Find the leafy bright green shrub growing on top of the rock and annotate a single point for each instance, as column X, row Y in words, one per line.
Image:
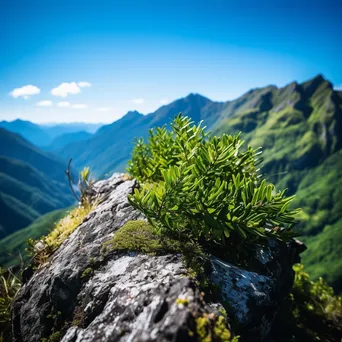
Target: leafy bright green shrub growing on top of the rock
column 206, row 187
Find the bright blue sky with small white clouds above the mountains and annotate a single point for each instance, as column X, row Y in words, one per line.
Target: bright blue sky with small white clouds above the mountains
column 92, row 61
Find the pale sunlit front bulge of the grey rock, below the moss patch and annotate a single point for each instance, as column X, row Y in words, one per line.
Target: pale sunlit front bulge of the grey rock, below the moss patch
column 138, row 300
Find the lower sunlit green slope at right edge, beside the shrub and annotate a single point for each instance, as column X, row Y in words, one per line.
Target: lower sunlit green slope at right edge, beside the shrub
column 318, row 194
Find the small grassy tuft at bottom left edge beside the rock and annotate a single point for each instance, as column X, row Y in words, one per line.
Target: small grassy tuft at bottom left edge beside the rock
column 9, row 287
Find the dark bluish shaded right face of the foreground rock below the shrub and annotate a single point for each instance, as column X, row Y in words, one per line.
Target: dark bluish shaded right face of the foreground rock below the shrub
column 254, row 298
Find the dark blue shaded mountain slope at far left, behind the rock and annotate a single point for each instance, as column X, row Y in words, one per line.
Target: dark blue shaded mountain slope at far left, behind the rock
column 32, row 183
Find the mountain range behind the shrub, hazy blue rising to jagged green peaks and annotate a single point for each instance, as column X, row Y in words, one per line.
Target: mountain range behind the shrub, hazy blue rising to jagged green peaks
column 299, row 127
